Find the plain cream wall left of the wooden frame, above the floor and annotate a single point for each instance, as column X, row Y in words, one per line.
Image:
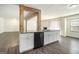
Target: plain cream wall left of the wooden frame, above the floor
column 9, row 25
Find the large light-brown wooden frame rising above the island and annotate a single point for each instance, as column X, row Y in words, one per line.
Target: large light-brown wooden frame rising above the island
column 37, row 13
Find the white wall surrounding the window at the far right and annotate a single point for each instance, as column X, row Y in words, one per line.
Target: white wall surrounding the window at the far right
column 66, row 28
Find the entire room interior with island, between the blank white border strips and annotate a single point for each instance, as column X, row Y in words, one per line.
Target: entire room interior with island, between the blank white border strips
column 39, row 29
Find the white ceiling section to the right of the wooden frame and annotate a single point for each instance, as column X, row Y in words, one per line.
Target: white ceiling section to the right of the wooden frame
column 54, row 10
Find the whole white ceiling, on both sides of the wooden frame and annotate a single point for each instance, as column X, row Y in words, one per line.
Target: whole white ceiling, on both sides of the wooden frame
column 48, row 10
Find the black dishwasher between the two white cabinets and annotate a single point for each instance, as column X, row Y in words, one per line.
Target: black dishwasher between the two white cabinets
column 38, row 39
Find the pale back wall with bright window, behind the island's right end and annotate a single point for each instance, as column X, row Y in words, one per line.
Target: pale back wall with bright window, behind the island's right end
column 52, row 24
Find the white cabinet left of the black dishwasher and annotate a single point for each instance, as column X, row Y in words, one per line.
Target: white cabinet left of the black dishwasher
column 26, row 42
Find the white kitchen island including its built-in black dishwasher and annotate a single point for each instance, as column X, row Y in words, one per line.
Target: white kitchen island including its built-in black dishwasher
column 33, row 40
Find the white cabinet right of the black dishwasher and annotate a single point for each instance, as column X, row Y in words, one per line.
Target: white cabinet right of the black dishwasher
column 50, row 37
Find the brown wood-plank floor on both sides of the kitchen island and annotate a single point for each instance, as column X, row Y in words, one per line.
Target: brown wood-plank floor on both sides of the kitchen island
column 66, row 45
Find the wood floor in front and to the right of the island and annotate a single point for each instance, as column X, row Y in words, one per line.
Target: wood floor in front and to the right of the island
column 66, row 45
